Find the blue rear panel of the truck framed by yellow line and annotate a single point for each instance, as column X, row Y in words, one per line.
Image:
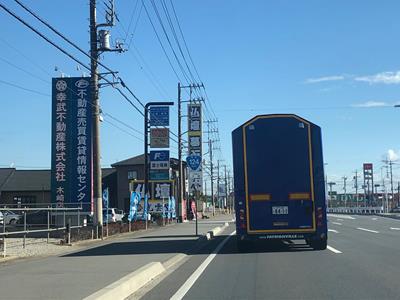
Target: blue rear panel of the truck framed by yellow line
column 278, row 175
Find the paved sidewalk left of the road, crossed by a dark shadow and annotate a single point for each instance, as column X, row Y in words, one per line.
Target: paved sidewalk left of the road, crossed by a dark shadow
column 80, row 273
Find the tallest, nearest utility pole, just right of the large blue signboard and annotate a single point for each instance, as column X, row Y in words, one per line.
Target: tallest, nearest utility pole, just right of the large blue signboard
column 97, row 193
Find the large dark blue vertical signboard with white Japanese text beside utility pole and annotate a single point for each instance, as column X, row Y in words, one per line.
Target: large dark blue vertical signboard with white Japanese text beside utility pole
column 71, row 167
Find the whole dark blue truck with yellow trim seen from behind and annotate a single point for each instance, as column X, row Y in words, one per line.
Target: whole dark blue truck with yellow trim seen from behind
column 279, row 180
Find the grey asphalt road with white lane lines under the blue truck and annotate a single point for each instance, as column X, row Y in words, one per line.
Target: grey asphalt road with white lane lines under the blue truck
column 362, row 262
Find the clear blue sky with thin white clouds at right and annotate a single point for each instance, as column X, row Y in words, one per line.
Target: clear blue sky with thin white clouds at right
column 335, row 63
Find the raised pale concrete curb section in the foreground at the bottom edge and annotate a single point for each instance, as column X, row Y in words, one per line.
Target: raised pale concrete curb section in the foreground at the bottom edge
column 129, row 284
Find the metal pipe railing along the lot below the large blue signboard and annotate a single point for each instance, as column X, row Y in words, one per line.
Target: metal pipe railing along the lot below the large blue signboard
column 56, row 221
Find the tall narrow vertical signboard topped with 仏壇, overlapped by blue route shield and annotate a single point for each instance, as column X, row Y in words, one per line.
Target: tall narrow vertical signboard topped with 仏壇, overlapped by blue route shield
column 194, row 158
